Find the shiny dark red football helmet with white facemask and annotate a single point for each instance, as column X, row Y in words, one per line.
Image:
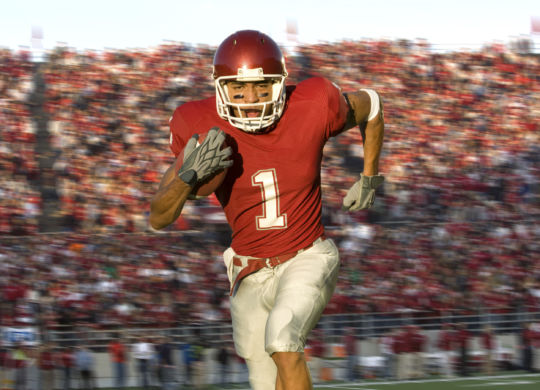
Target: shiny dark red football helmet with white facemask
column 249, row 56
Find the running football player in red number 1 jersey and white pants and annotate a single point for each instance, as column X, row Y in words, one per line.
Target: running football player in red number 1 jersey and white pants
column 282, row 268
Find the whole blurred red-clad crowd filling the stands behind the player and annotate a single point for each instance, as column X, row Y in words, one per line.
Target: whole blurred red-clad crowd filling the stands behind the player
column 455, row 228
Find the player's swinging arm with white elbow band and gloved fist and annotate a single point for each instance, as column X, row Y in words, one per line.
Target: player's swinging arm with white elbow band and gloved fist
column 366, row 111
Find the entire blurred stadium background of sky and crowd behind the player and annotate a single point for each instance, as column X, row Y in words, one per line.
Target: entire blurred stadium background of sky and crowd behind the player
column 451, row 243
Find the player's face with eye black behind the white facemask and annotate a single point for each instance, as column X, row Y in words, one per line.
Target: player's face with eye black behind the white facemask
column 250, row 93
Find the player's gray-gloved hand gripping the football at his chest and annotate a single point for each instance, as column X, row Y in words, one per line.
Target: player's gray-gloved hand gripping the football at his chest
column 202, row 161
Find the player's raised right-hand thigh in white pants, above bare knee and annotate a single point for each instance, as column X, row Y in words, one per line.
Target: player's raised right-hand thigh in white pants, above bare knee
column 304, row 288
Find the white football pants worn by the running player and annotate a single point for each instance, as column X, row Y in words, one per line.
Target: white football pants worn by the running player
column 274, row 309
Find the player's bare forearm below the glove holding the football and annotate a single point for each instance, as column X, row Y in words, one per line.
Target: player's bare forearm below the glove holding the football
column 167, row 204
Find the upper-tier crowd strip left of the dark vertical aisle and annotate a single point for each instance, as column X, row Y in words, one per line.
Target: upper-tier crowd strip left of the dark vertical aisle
column 20, row 199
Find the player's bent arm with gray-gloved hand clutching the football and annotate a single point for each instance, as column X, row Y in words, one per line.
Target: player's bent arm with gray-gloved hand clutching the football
column 199, row 162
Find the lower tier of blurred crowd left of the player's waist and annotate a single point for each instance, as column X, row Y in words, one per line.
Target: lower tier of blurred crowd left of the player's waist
column 109, row 282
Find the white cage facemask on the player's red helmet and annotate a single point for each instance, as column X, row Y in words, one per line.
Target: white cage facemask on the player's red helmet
column 270, row 111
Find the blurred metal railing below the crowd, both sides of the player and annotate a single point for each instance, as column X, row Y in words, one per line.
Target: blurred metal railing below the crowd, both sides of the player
column 366, row 326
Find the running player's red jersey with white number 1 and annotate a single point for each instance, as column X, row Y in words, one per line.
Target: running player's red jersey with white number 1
column 271, row 195
